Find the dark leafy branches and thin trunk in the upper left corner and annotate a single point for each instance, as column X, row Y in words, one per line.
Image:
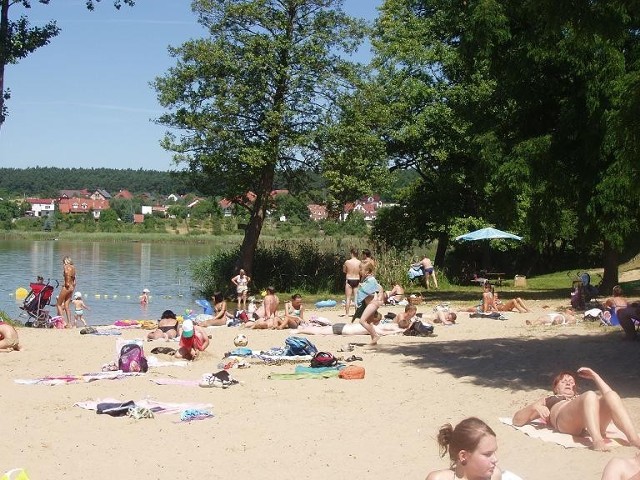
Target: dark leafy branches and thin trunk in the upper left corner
column 18, row 39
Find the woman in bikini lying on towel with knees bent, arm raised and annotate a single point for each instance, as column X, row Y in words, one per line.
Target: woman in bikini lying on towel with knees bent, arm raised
column 569, row 412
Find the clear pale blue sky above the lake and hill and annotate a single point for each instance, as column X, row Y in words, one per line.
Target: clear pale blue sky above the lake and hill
column 84, row 100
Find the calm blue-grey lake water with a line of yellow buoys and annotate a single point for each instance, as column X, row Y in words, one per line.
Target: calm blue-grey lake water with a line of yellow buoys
column 110, row 276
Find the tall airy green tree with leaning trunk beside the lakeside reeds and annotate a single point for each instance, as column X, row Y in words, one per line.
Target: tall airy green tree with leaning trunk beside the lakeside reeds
column 251, row 97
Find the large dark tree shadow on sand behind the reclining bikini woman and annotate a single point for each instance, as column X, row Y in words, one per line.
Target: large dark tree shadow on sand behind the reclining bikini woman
column 529, row 362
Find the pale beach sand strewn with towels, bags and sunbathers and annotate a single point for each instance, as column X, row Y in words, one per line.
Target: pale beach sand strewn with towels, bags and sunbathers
column 381, row 427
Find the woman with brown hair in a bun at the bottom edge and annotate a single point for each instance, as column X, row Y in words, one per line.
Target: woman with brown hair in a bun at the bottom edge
column 472, row 449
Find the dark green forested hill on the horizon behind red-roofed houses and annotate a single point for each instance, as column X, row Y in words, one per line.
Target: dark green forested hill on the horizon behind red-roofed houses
column 48, row 181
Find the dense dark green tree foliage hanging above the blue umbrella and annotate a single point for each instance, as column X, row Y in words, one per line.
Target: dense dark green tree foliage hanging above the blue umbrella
column 518, row 113
